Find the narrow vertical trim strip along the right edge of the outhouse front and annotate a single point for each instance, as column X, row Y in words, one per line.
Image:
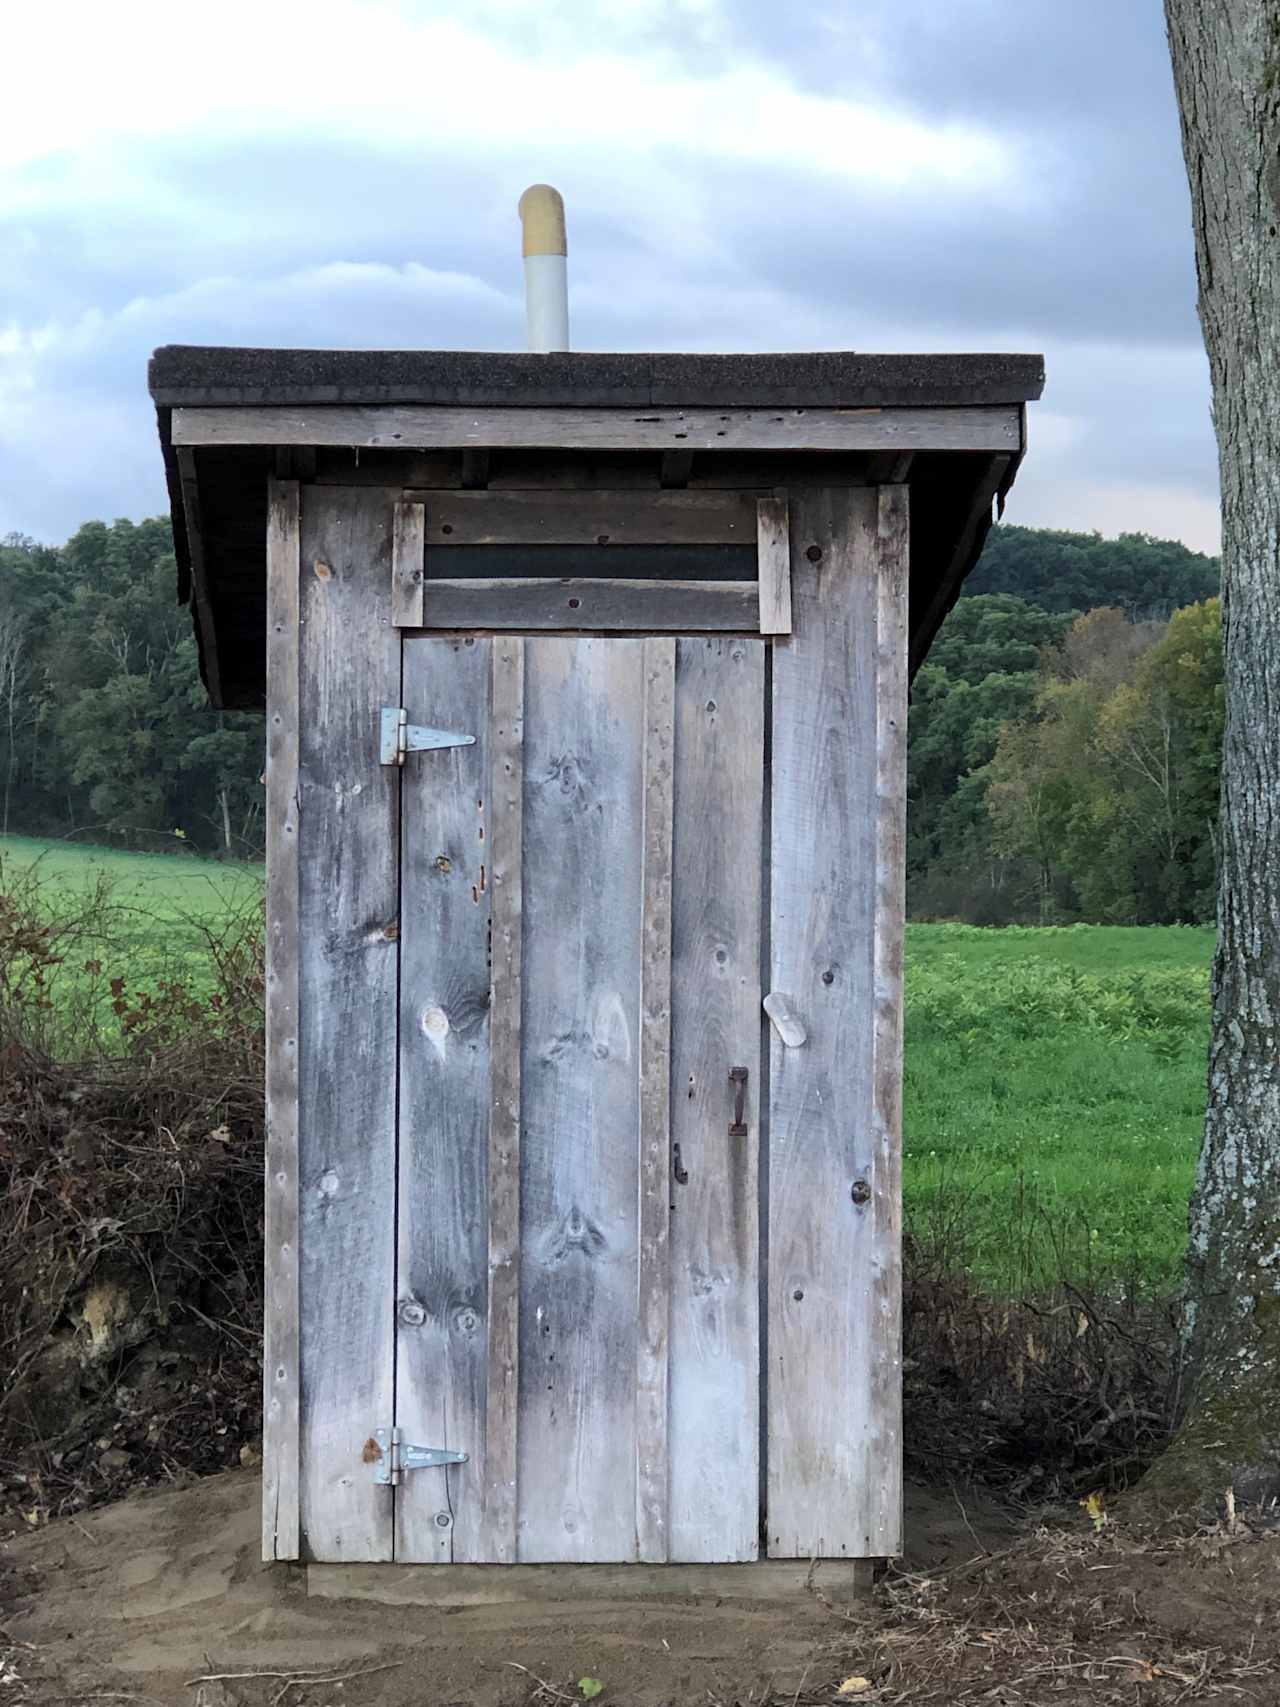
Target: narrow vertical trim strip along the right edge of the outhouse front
column 885, row 1209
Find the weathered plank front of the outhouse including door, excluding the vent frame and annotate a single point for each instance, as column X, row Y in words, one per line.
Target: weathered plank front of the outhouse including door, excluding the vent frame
column 506, row 987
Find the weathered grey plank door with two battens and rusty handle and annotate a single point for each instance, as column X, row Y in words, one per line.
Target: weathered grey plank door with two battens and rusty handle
column 578, row 1228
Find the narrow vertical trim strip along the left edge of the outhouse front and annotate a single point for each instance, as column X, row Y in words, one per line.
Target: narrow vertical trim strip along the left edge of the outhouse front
column 281, row 1307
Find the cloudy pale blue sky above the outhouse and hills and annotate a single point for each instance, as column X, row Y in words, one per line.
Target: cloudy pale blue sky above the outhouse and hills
column 740, row 175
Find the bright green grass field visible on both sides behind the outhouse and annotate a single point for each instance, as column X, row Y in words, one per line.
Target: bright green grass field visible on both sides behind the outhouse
column 1054, row 1078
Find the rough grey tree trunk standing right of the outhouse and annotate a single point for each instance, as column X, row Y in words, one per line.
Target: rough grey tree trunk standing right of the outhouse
column 1226, row 57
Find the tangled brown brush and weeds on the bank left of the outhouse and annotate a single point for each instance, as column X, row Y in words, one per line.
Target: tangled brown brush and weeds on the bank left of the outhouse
column 131, row 1177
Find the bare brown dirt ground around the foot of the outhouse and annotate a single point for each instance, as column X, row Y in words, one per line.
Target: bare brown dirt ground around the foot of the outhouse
column 146, row 1599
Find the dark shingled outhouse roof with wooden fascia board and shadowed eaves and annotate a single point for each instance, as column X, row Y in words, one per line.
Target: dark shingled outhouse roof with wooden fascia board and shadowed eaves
column 950, row 426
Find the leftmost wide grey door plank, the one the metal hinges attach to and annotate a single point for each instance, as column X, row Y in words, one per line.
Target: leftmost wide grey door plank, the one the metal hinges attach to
column 445, row 1102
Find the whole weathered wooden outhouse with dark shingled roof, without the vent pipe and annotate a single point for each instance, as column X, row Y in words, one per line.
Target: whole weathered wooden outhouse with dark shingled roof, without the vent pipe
column 586, row 709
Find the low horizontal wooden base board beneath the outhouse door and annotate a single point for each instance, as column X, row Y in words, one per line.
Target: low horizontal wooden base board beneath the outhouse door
column 774, row 1580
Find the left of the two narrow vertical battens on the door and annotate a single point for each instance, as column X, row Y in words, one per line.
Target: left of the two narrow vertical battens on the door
column 504, row 1127
